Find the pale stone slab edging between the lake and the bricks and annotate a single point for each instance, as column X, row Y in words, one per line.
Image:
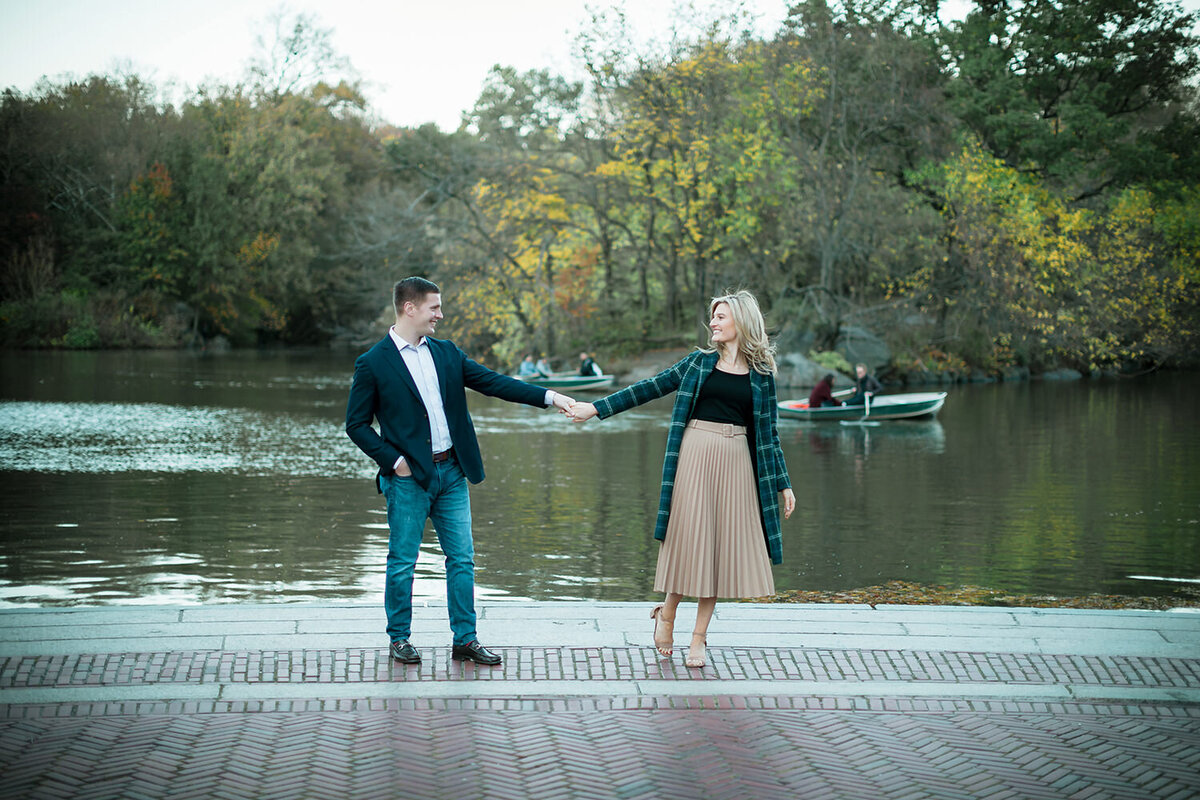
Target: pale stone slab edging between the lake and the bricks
column 597, row 624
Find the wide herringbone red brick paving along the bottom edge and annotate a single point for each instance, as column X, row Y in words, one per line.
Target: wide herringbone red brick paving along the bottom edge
column 662, row 754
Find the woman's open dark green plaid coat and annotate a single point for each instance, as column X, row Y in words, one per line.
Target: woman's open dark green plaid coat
column 686, row 378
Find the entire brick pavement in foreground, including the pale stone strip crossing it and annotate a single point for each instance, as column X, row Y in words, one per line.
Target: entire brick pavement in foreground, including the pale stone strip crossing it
column 601, row 723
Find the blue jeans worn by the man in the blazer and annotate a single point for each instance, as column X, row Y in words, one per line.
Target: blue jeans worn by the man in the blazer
column 447, row 503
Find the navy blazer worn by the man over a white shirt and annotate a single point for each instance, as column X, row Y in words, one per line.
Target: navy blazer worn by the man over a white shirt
column 385, row 390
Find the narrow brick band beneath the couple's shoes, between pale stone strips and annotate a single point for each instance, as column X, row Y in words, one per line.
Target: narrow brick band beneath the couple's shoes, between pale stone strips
column 596, row 664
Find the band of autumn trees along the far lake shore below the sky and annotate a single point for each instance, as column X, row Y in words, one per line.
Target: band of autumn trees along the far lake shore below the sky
column 1017, row 189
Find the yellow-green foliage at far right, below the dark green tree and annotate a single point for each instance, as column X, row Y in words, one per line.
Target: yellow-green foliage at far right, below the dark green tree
column 1089, row 285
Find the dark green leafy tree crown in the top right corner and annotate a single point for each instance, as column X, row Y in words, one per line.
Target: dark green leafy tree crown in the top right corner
column 1075, row 91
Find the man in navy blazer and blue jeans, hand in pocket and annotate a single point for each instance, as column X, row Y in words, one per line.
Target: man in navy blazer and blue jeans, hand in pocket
column 427, row 449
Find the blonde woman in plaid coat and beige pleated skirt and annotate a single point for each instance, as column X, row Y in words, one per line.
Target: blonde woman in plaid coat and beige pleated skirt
column 724, row 473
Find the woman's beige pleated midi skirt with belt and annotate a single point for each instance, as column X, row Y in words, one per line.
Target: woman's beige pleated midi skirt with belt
column 715, row 545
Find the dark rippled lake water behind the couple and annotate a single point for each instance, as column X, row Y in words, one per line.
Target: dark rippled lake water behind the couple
column 179, row 478
